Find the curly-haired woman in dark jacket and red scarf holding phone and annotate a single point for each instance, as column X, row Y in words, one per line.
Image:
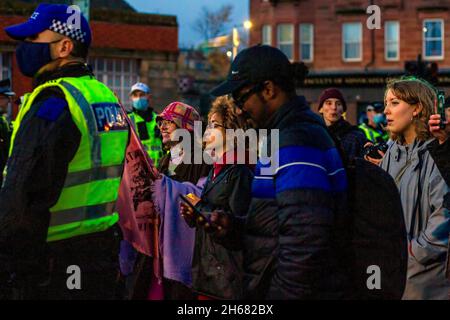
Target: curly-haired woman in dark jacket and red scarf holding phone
column 217, row 270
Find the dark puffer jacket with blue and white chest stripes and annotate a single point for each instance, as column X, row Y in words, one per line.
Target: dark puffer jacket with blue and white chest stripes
column 288, row 245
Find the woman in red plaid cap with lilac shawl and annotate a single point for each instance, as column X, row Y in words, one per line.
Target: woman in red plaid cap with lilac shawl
column 178, row 174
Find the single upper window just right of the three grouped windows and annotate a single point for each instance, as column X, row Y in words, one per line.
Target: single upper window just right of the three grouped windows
column 352, row 41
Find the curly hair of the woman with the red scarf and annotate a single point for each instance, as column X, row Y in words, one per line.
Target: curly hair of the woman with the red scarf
column 225, row 107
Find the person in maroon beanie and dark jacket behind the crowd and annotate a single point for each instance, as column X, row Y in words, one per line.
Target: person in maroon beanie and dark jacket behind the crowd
column 332, row 106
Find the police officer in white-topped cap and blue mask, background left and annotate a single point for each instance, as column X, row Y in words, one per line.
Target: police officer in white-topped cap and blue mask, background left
column 144, row 119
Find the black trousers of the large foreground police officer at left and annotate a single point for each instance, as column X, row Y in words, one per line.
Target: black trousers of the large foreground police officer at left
column 96, row 258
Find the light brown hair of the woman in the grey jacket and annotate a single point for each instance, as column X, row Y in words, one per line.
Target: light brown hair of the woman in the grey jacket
column 415, row 91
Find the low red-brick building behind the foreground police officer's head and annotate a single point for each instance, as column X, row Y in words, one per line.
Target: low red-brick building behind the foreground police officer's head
column 127, row 47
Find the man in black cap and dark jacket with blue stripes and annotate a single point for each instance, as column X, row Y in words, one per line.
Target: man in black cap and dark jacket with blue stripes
column 288, row 238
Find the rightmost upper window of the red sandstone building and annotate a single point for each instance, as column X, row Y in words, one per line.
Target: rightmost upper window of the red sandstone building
column 433, row 39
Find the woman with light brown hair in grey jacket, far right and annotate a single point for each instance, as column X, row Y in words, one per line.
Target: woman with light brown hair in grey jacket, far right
column 409, row 104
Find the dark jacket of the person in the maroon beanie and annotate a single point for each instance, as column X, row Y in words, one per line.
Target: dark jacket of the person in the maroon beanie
column 352, row 139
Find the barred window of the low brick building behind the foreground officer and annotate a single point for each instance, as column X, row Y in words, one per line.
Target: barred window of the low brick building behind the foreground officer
column 118, row 74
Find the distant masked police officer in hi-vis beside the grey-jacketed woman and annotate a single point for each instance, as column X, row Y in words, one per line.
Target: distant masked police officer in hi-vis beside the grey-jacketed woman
column 374, row 126
